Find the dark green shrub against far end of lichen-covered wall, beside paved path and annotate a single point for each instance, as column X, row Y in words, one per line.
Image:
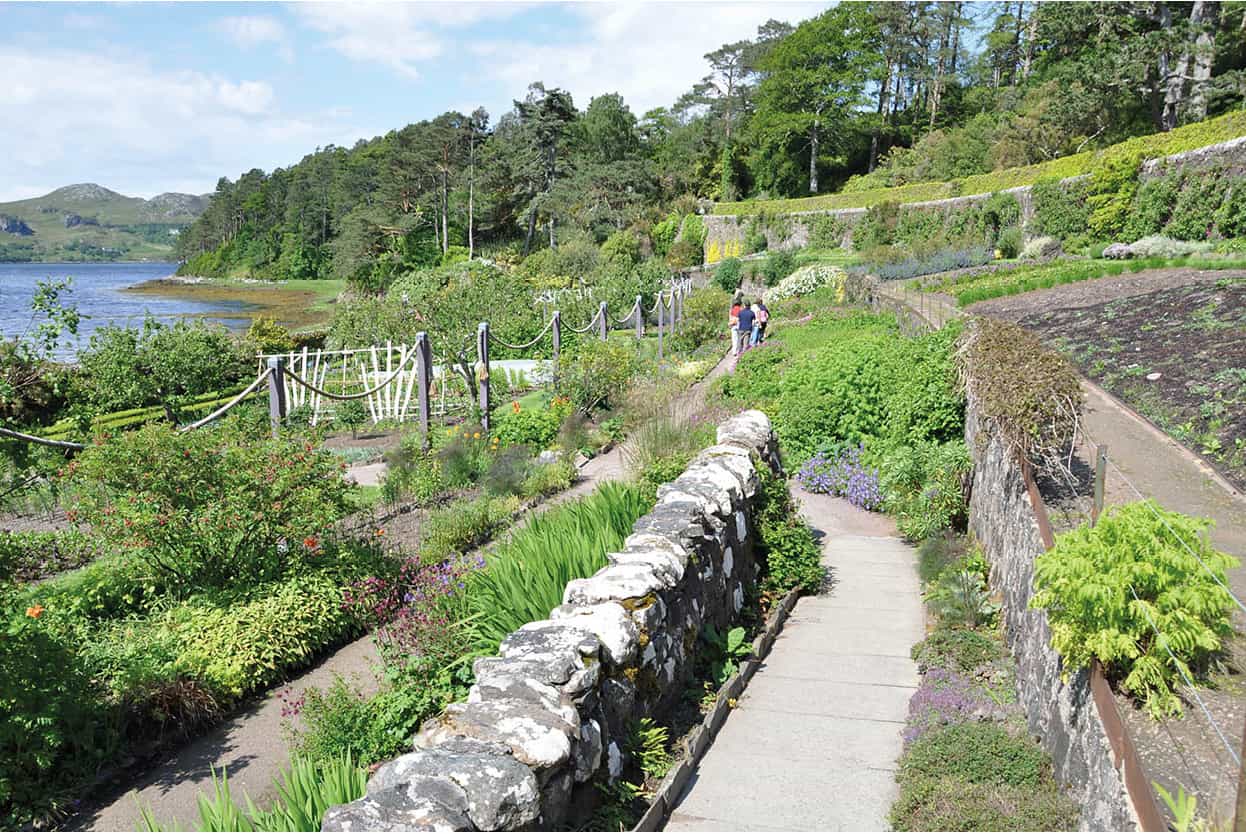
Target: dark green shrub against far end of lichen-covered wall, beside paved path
column 791, row 557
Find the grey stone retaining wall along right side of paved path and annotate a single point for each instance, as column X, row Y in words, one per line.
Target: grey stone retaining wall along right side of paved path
column 1061, row 714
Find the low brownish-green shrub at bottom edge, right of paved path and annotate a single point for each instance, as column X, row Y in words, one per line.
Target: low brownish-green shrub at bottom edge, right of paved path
column 951, row 805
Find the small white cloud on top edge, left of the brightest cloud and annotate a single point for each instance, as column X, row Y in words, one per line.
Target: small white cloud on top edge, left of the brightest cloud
column 397, row 36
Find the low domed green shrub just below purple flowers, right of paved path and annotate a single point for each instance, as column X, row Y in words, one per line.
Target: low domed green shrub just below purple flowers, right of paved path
column 977, row 754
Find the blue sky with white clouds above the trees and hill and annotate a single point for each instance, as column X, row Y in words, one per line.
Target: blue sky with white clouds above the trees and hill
column 149, row 98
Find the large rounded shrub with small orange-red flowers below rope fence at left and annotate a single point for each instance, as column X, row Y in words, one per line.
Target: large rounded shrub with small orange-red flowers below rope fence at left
column 210, row 508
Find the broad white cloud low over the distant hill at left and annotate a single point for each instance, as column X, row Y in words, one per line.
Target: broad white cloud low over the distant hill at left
column 77, row 117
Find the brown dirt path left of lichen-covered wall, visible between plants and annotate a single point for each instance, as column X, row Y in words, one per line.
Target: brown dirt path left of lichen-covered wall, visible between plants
column 252, row 744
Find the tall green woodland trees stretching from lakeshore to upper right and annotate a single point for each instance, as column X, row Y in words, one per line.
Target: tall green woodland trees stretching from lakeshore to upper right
column 864, row 95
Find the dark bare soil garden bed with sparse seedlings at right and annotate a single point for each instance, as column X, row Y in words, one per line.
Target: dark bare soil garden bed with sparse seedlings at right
column 1171, row 343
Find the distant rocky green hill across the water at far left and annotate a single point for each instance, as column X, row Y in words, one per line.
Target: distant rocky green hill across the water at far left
column 89, row 223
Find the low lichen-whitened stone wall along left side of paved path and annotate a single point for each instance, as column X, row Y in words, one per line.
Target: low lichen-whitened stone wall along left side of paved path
column 546, row 717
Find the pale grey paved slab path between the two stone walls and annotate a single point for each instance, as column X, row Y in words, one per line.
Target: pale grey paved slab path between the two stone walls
column 814, row 742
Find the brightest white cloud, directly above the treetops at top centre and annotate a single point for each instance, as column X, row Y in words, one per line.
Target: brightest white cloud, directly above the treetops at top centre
column 647, row 53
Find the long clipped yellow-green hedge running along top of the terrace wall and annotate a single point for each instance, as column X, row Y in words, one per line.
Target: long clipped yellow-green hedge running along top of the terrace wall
column 1157, row 145
